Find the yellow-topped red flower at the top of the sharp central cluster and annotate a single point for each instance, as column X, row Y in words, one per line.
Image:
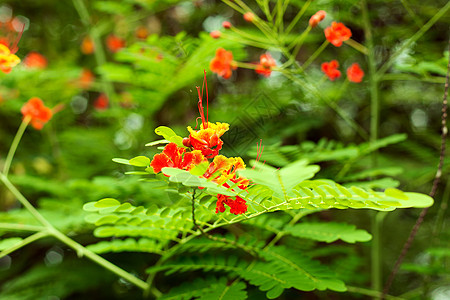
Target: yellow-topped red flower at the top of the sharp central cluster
column 207, row 140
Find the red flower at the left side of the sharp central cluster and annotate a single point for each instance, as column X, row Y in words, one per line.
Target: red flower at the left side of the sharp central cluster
column 172, row 156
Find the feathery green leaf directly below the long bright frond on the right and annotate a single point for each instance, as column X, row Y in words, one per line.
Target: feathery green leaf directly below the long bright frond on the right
column 329, row 232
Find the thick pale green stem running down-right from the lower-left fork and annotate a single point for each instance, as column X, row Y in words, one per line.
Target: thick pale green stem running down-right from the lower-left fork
column 82, row 251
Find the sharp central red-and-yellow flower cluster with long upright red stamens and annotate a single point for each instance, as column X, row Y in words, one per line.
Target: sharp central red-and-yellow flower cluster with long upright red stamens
column 202, row 146
